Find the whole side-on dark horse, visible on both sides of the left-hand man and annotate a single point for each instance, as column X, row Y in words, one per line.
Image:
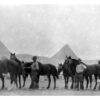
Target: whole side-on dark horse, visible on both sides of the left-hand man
column 44, row 69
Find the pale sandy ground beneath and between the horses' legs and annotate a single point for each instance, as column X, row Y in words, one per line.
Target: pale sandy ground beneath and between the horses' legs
column 60, row 91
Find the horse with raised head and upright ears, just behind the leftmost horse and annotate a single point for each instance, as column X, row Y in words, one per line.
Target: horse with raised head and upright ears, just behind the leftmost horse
column 20, row 72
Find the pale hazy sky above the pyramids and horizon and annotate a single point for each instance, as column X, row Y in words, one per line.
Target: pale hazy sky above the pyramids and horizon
column 44, row 29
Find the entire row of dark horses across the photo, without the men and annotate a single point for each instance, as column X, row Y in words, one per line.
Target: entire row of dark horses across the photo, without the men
column 17, row 68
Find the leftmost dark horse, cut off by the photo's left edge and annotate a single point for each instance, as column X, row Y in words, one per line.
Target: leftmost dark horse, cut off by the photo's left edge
column 11, row 67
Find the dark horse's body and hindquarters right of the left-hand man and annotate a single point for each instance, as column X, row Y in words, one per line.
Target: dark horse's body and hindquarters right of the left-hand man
column 48, row 70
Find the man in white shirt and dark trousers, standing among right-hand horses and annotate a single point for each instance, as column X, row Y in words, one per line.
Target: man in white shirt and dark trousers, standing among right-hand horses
column 79, row 75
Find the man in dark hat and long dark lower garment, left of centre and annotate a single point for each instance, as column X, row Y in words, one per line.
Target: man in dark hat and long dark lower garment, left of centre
column 34, row 73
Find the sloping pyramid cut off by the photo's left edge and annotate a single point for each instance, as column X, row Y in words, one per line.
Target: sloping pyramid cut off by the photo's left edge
column 4, row 52
